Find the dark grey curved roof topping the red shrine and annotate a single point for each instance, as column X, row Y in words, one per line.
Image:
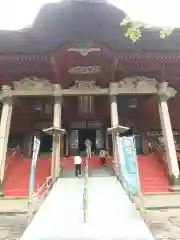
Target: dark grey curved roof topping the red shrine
column 68, row 21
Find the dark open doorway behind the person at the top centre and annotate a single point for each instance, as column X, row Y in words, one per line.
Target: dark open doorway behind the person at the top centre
column 83, row 135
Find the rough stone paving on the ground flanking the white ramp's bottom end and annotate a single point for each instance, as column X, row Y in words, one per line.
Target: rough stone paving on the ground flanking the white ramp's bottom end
column 164, row 224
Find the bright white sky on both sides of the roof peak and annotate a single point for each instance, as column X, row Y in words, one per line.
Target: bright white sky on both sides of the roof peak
column 18, row 14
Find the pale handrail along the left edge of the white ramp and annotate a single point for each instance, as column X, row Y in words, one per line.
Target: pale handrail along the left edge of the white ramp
column 37, row 196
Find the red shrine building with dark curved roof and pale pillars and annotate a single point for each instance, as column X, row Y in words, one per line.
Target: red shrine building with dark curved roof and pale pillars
column 74, row 71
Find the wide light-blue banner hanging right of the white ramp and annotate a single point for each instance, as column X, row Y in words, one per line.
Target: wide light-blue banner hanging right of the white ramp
column 129, row 166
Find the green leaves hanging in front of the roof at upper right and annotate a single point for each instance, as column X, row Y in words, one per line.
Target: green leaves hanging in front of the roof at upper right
column 134, row 30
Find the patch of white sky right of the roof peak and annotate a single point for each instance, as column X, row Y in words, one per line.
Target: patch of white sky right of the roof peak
column 154, row 12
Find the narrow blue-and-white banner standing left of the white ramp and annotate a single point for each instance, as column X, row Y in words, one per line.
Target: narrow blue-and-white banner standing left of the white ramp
column 36, row 146
